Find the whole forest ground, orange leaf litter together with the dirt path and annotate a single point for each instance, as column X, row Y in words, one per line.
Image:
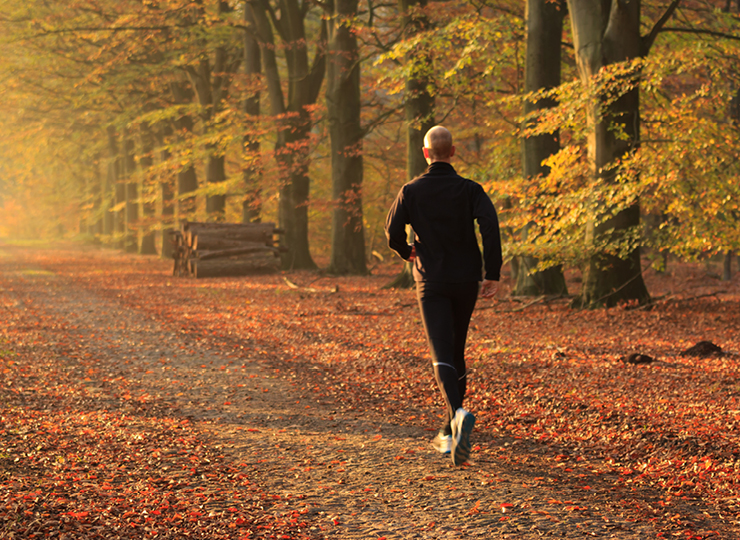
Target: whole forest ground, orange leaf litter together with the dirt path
column 138, row 405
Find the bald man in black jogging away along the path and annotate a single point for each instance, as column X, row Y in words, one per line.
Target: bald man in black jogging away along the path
column 441, row 207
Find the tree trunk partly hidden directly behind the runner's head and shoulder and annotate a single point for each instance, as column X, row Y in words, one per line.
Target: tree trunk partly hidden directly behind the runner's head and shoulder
column 418, row 108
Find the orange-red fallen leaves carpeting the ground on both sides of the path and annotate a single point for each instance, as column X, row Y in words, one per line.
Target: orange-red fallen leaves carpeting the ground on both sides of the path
column 546, row 376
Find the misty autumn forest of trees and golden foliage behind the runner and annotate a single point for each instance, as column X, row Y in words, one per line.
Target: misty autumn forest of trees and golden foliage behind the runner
column 606, row 133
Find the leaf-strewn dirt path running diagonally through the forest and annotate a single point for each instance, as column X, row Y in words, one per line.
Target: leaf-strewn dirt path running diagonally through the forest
column 353, row 475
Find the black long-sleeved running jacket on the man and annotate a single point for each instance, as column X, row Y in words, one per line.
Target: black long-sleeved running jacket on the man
column 441, row 207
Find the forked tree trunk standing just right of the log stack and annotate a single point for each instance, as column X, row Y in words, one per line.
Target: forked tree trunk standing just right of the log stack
column 292, row 147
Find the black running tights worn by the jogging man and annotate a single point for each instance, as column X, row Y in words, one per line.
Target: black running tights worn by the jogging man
column 446, row 309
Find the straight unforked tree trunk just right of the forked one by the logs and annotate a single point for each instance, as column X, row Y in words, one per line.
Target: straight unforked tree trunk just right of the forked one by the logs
column 343, row 105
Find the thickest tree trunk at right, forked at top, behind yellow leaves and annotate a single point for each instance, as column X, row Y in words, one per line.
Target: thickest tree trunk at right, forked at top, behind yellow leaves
column 605, row 33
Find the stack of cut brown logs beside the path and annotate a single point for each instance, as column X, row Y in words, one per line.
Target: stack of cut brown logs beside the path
column 224, row 249
